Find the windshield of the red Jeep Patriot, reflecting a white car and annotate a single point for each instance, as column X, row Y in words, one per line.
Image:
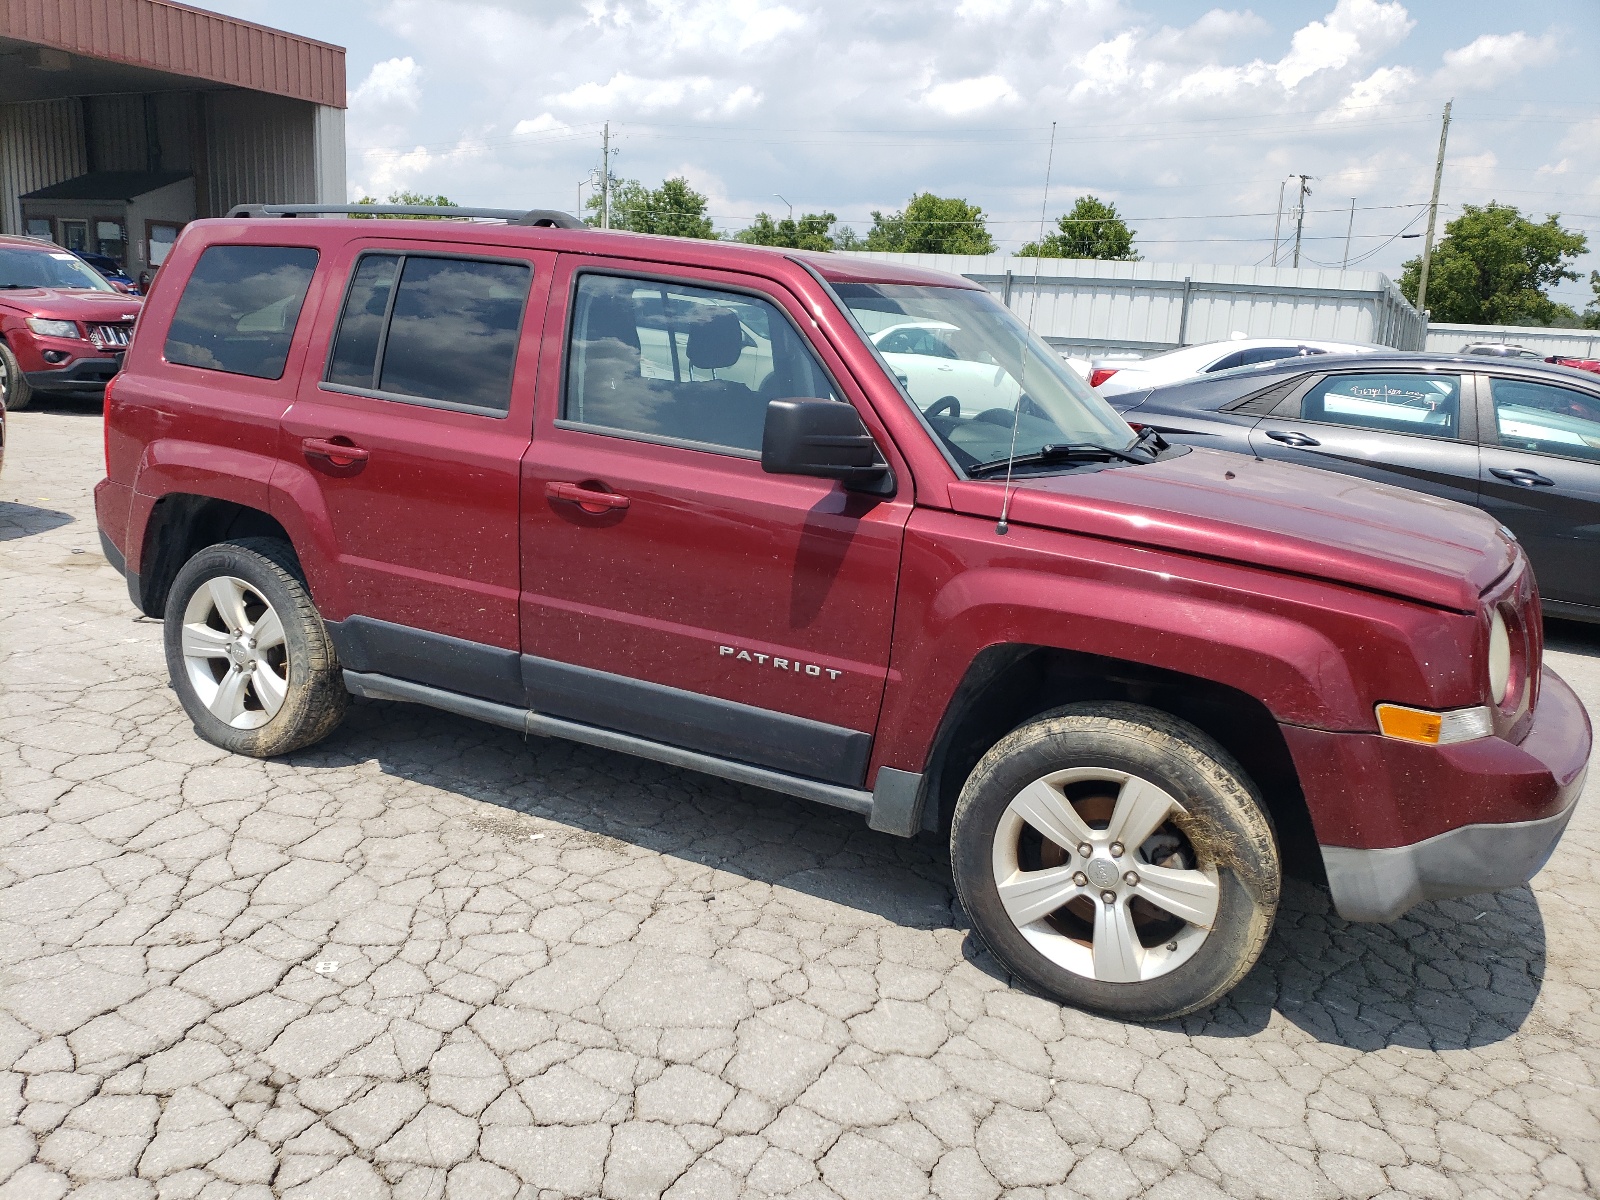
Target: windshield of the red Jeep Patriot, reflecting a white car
column 972, row 369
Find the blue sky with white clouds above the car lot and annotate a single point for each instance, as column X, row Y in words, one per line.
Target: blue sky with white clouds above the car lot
column 1188, row 118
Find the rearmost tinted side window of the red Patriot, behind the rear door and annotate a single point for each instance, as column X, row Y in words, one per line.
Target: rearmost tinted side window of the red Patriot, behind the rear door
column 239, row 310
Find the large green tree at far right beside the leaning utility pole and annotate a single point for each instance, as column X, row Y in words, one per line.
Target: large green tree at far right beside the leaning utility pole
column 1495, row 268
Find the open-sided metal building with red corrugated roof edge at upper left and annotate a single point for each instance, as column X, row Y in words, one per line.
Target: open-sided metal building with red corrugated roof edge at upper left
column 124, row 119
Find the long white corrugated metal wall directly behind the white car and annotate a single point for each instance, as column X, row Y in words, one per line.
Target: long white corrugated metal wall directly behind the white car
column 1158, row 306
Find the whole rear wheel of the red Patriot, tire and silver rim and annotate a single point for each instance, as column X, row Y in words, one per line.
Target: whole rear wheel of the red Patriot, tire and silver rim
column 249, row 654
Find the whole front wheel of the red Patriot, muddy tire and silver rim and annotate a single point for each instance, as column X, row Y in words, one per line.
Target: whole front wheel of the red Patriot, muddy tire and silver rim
column 1118, row 860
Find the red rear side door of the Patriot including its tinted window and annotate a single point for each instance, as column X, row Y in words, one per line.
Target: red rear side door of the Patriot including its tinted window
column 404, row 450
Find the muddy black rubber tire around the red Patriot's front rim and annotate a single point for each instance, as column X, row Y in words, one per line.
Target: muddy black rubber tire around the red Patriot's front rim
column 1225, row 815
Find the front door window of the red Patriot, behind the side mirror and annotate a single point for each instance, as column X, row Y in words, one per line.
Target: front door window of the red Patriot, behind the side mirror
column 681, row 362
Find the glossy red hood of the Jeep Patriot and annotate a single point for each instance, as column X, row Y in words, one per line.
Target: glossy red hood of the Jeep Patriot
column 1270, row 514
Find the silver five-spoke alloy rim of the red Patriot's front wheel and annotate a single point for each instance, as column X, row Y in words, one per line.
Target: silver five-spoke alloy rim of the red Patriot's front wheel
column 1097, row 873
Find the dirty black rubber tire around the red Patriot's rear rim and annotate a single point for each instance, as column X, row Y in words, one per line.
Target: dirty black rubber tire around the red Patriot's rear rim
column 314, row 702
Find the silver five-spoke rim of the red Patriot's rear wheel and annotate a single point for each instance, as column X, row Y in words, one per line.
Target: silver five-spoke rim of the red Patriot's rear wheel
column 234, row 654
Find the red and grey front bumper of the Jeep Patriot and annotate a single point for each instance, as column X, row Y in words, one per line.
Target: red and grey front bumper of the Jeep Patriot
column 1401, row 825
